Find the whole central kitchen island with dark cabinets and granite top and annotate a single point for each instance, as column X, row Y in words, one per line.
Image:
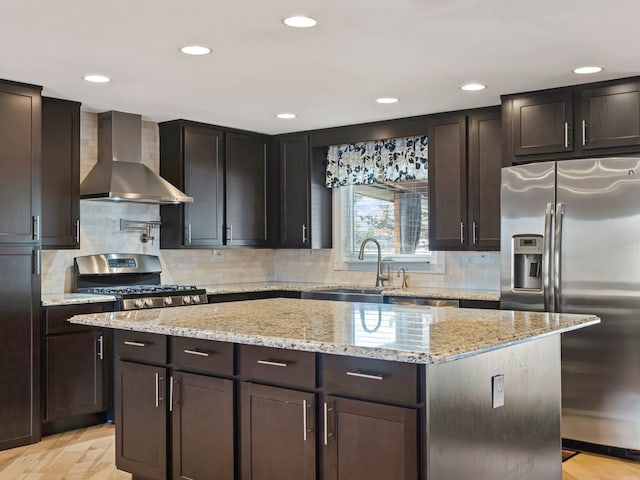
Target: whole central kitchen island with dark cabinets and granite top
column 328, row 390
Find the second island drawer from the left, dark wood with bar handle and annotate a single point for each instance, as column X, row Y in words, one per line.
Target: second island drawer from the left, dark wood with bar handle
column 202, row 355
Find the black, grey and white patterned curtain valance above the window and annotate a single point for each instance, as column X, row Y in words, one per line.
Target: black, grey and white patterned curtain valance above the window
column 394, row 160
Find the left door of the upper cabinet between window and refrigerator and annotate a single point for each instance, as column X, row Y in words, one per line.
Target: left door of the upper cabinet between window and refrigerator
column 448, row 183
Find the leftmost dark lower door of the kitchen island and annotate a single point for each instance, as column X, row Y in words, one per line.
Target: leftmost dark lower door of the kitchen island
column 141, row 417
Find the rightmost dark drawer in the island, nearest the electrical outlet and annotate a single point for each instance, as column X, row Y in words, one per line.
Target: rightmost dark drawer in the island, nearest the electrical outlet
column 372, row 379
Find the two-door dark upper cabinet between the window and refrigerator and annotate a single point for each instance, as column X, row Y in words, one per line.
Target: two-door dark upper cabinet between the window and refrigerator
column 464, row 180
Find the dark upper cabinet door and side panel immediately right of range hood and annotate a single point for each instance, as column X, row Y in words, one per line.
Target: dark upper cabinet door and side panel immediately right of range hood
column 192, row 158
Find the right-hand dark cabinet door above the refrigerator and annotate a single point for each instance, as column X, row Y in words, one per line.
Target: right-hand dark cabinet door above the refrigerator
column 610, row 116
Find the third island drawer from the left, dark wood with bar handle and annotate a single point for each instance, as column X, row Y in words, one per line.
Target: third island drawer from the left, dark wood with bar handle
column 275, row 365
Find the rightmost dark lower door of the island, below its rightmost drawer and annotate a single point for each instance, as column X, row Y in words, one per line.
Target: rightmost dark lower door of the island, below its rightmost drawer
column 369, row 441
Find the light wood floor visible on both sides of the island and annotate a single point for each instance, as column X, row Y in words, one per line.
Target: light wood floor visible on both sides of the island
column 88, row 454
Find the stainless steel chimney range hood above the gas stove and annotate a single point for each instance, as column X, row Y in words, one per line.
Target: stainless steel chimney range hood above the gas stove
column 120, row 174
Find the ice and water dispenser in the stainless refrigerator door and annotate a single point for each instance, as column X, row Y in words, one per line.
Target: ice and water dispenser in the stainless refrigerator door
column 527, row 262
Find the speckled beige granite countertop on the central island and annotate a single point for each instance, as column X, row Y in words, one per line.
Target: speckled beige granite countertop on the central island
column 412, row 334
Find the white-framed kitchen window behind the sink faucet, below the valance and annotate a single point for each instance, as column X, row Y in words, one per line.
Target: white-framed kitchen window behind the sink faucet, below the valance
column 396, row 214
